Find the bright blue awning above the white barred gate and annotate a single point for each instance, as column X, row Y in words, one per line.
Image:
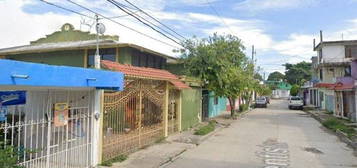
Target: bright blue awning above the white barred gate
column 41, row 75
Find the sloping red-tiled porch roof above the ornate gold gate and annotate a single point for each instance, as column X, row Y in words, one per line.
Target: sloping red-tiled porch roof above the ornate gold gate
column 142, row 72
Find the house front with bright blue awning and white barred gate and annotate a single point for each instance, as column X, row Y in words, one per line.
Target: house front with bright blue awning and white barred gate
column 50, row 113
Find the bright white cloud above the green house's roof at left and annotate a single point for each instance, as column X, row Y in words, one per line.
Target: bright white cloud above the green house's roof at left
column 19, row 27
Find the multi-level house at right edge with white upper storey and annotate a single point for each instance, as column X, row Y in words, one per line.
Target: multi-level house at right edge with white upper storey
column 337, row 72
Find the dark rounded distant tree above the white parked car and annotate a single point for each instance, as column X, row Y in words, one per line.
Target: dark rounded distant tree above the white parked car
column 297, row 73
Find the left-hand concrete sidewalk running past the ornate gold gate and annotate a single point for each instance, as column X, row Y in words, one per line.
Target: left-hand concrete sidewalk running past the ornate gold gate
column 162, row 153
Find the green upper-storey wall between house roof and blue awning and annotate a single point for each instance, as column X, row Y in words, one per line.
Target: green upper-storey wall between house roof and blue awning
column 69, row 58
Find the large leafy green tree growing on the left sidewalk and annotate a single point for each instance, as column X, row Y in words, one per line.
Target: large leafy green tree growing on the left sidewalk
column 219, row 61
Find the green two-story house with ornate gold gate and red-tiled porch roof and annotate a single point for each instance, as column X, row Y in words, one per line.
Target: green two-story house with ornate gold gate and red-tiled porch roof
column 153, row 103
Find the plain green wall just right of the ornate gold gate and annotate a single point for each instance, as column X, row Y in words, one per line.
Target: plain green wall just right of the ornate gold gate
column 191, row 107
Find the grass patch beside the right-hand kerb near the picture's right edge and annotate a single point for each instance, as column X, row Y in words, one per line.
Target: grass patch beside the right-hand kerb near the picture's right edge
column 338, row 124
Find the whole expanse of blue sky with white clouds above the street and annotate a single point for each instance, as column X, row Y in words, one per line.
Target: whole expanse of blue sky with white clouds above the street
column 281, row 30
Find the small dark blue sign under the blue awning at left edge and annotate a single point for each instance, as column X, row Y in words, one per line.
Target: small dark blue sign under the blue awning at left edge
column 12, row 97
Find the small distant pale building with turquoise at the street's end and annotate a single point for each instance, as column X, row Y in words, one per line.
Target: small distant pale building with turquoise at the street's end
column 281, row 89
